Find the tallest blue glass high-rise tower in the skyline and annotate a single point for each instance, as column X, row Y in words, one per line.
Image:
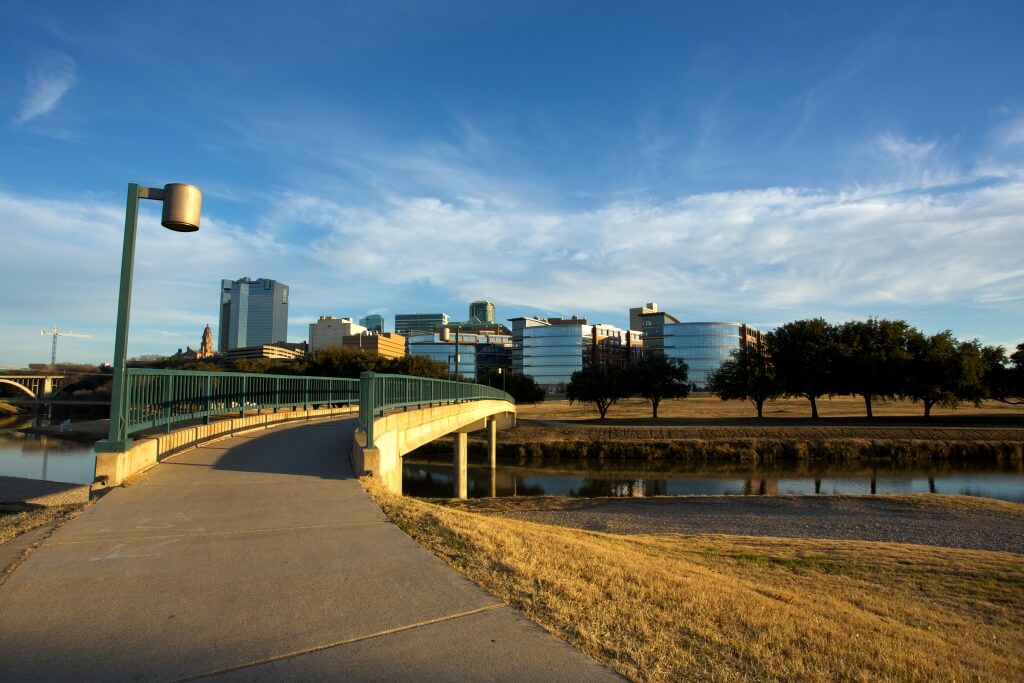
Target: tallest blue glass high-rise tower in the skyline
column 252, row 313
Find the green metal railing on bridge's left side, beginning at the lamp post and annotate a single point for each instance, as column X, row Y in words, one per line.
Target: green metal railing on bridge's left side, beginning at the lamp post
column 162, row 398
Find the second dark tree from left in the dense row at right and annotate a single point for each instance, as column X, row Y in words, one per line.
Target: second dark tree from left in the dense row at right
column 804, row 355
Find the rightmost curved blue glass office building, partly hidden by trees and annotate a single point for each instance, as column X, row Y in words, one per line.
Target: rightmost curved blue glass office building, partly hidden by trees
column 703, row 347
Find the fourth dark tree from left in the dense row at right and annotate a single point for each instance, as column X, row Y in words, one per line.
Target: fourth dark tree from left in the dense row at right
column 945, row 371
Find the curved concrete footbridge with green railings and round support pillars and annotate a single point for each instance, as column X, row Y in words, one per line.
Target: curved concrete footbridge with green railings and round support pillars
column 174, row 410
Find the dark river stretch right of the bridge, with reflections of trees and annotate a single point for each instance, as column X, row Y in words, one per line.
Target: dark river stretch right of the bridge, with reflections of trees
column 433, row 478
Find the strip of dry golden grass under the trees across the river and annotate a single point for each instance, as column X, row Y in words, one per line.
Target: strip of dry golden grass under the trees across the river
column 710, row 408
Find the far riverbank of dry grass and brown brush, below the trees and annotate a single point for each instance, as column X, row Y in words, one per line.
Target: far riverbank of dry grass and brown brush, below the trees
column 709, row 431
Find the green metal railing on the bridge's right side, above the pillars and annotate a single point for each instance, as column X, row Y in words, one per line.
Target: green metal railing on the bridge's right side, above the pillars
column 379, row 394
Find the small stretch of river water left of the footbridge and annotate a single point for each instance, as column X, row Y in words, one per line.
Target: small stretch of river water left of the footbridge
column 36, row 457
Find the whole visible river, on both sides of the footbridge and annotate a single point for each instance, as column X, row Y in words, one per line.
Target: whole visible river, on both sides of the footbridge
column 55, row 459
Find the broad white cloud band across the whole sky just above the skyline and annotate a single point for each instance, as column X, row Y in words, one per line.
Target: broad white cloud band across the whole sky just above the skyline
column 763, row 257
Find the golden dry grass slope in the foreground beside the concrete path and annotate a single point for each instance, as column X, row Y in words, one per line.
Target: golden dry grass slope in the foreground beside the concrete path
column 735, row 609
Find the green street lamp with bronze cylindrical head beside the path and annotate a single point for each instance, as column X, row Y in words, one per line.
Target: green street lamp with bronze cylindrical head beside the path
column 182, row 211
